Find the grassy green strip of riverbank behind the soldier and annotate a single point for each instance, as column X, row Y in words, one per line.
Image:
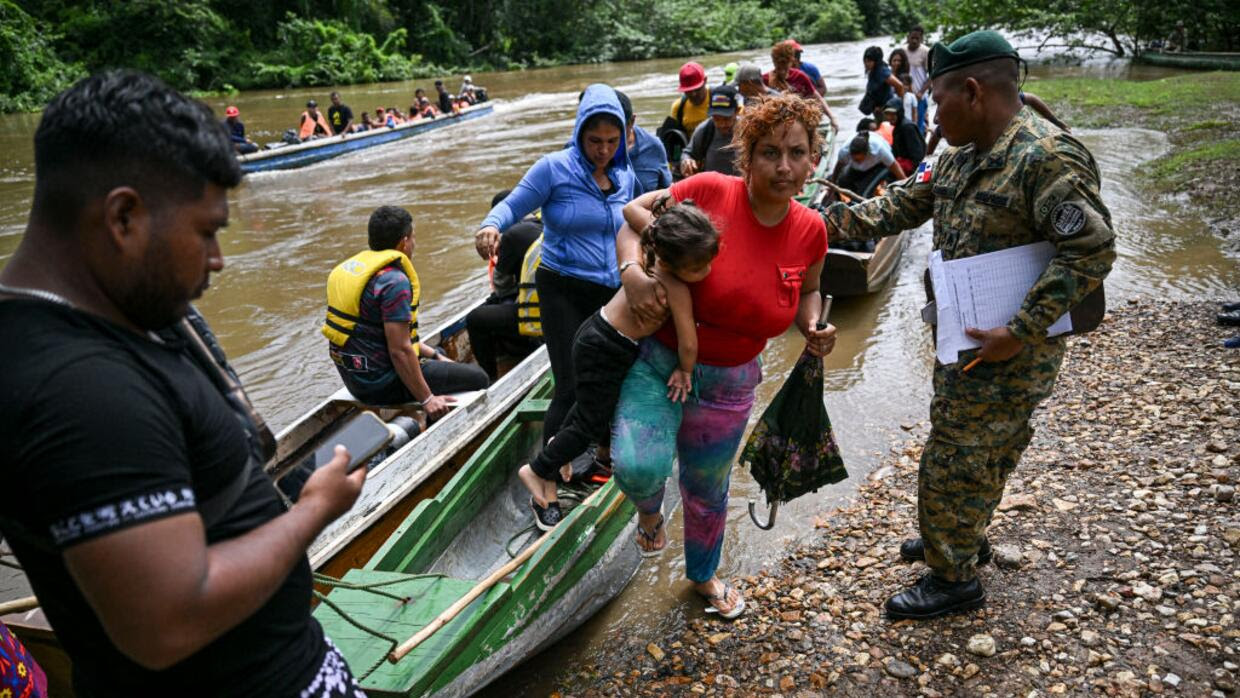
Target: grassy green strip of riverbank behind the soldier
column 1200, row 112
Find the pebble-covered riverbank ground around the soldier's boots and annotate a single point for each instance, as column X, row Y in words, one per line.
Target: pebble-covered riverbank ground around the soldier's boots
column 1117, row 554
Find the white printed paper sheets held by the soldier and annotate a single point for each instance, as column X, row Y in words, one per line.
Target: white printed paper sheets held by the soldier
column 985, row 292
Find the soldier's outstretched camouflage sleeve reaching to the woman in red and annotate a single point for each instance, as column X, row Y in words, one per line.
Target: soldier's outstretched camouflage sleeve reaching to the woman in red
column 906, row 205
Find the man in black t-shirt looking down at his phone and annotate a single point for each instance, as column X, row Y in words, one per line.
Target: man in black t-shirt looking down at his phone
column 135, row 494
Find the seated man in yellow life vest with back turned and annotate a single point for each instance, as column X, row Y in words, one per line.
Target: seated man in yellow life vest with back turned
column 373, row 325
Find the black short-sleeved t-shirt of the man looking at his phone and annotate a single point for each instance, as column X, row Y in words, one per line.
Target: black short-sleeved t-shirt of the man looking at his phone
column 102, row 430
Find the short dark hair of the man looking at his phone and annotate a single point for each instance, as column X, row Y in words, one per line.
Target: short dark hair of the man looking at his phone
column 126, row 128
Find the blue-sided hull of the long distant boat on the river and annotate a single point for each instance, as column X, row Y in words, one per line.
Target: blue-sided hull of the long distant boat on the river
column 318, row 151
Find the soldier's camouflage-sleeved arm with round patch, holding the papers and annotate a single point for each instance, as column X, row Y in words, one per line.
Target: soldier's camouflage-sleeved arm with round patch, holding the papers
column 1068, row 210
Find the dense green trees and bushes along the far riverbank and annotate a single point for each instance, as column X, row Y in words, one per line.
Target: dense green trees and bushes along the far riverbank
column 224, row 45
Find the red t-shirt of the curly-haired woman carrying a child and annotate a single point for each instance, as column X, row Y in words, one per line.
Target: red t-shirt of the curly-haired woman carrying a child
column 755, row 286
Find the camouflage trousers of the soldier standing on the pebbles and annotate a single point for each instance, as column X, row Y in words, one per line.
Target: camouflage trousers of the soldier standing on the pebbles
column 979, row 428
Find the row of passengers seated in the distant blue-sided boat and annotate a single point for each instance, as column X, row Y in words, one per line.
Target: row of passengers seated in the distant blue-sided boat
column 339, row 120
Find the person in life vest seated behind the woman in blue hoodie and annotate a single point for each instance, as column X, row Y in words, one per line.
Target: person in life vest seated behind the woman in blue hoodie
column 509, row 323
